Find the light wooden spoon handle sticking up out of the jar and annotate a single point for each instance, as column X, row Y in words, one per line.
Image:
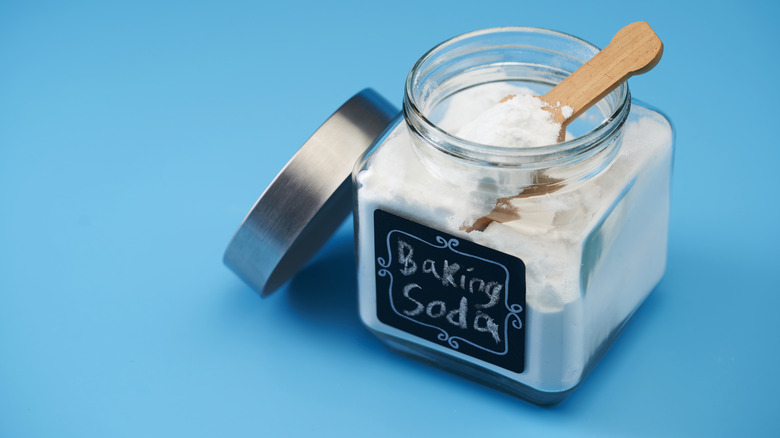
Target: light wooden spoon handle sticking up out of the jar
column 634, row 50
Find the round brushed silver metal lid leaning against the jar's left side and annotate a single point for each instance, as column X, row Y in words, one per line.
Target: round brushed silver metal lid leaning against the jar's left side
column 309, row 199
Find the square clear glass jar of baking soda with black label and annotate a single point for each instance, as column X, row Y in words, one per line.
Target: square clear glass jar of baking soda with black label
column 517, row 267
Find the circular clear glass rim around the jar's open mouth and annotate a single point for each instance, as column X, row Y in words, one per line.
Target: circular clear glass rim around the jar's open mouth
column 467, row 149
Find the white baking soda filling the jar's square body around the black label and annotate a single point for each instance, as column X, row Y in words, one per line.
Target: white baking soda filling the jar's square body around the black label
column 592, row 251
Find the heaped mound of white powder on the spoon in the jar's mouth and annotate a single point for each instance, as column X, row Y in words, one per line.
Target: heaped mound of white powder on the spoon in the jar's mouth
column 517, row 122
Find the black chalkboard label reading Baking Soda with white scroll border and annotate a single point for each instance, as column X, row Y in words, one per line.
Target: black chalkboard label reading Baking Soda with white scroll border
column 450, row 291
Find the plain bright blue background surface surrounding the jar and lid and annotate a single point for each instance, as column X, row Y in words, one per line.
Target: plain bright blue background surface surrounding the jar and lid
column 134, row 136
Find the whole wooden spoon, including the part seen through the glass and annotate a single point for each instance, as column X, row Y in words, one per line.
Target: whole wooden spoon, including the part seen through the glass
column 634, row 50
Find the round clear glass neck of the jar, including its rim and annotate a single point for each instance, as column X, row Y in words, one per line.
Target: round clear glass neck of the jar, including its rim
column 534, row 58
